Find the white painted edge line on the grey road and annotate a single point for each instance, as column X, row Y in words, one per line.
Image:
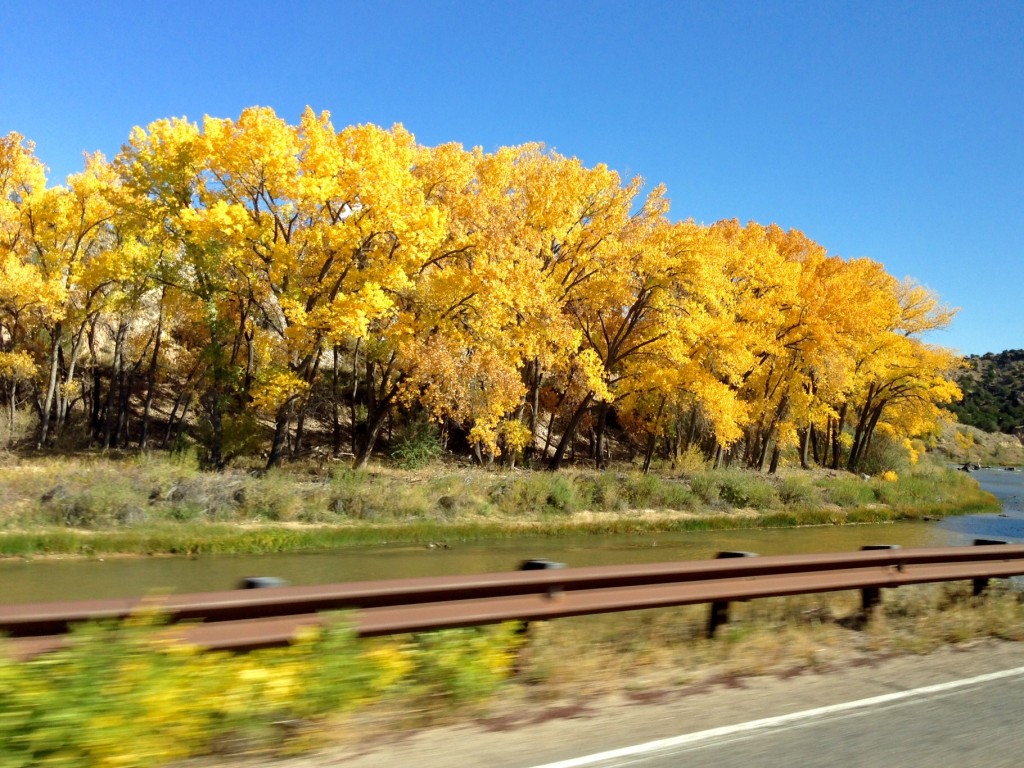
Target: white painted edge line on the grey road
column 690, row 739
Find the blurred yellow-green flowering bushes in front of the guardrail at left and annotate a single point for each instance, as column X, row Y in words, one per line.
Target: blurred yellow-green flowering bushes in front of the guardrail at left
column 122, row 695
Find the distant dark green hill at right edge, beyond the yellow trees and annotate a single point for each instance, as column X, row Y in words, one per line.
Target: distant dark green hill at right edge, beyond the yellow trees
column 994, row 392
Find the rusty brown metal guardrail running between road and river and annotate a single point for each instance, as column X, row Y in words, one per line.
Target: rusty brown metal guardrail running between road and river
column 253, row 619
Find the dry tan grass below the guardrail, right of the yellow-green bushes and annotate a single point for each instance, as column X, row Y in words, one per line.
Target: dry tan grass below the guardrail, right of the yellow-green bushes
column 668, row 649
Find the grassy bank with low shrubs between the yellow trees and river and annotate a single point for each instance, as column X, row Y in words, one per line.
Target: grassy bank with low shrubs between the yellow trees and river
column 151, row 505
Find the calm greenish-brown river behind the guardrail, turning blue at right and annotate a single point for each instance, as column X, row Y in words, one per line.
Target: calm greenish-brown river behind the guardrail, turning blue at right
column 67, row 580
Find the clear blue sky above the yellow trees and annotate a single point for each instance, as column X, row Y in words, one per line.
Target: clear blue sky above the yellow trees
column 892, row 131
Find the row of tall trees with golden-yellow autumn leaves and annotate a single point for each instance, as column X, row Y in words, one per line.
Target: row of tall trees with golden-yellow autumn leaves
column 324, row 282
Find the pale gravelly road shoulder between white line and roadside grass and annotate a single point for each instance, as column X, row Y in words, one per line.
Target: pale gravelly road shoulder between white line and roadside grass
column 543, row 734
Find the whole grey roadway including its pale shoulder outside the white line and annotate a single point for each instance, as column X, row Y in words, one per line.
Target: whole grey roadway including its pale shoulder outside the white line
column 962, row 724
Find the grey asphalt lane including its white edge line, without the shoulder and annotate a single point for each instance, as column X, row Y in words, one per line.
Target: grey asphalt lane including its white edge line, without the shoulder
column 973, row 722
